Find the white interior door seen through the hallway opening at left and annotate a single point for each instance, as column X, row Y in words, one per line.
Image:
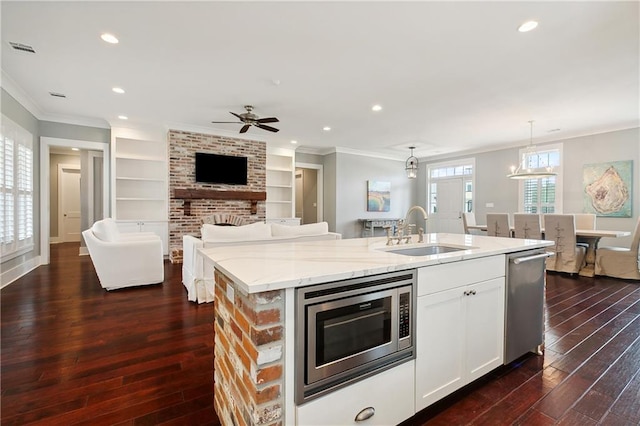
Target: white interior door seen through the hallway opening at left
column 69, row 190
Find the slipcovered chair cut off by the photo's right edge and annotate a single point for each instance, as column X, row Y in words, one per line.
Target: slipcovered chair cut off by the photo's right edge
column 619, row 262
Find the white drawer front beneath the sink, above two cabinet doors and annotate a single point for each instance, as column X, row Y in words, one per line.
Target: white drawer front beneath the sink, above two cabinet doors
column 432, row 279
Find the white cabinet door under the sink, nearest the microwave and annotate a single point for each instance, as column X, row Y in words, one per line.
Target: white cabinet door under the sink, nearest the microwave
column 440, row 345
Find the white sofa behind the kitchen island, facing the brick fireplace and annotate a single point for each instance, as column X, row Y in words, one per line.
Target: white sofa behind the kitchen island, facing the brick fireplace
column 198, row 277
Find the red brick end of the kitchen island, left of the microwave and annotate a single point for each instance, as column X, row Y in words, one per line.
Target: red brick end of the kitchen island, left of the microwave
column 248, row 355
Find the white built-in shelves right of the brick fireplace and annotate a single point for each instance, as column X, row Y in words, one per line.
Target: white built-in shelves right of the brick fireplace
column 280, row 183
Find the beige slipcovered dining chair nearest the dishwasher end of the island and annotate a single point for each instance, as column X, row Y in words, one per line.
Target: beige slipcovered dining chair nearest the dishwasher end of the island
column 568, row 256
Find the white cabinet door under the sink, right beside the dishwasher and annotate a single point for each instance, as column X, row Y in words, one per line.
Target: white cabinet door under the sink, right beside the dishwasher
column 485, row 327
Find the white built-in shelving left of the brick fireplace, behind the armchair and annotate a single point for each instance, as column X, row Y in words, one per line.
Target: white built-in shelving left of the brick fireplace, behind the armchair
column 140, row 181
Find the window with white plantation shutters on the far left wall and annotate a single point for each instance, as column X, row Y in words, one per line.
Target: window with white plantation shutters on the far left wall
column 16, row 189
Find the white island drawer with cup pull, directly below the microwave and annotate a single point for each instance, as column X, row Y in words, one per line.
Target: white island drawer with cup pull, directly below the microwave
column 389, row 393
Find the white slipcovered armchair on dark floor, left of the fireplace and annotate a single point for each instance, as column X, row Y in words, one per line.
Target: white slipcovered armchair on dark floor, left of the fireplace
column 124, row 259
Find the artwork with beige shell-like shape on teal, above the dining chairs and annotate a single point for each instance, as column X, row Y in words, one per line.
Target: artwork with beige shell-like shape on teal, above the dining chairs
column 607, row 188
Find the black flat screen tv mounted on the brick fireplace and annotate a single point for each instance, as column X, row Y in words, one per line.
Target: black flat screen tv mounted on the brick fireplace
column 214, row 168
